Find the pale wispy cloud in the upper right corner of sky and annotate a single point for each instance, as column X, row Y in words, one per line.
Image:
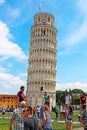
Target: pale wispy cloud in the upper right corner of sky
column 81, row 31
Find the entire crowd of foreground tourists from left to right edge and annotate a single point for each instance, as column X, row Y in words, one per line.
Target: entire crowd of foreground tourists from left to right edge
column 39, row 118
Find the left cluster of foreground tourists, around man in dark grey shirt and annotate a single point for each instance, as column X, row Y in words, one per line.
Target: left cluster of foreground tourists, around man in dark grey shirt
column 26, row 118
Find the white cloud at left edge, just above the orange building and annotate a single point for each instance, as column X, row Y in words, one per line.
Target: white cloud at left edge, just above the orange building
column 9, row 83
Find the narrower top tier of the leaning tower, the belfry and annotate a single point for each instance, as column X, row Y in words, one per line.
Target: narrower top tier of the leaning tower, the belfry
column 43, row 19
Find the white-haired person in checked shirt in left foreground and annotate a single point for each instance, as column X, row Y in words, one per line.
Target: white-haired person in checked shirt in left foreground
column 17, row 117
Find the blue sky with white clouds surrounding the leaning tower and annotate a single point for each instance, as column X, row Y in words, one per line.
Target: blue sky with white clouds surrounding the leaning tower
column 16, row 19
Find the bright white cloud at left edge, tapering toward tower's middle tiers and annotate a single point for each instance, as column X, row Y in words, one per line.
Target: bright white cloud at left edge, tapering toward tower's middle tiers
column 7, row 47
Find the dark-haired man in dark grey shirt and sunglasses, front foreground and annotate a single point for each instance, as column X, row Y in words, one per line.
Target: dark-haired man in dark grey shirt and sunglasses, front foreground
column 30, row 123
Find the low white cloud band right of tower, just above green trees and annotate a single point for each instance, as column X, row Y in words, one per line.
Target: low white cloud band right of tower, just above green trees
column 76, row 85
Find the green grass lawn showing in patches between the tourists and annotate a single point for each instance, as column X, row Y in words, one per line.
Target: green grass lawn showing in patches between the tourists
column 56, row 125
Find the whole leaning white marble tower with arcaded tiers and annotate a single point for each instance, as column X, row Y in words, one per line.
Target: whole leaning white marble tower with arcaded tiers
column 42, row 60
